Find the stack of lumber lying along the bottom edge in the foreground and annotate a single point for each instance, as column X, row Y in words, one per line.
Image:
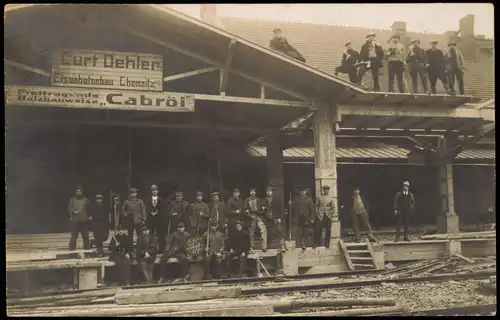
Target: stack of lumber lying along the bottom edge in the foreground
column 187, row 300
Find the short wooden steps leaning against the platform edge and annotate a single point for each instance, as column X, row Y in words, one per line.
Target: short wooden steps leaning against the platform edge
column 359, row 256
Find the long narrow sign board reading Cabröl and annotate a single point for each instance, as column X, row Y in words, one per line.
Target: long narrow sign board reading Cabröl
column 98, row 99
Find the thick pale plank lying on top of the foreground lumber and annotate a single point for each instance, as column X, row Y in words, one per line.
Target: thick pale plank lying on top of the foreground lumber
column 124, row 298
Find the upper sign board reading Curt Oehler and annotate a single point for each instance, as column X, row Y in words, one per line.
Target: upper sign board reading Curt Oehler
column 107, row 70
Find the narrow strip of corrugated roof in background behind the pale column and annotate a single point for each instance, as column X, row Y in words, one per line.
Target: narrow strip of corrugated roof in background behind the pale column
column 368, row 153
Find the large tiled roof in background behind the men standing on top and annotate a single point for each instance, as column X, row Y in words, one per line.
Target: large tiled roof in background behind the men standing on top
column 323, row 45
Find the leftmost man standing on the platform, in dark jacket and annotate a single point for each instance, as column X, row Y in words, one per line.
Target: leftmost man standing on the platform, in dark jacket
column 79, row 213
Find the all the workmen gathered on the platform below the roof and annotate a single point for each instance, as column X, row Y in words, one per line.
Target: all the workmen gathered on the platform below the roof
column 224, row 230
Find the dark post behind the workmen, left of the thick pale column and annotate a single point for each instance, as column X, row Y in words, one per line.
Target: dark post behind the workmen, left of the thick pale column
column 274, row 164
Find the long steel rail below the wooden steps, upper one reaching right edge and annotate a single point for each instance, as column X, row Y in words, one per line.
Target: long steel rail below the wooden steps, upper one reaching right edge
column 363, row 283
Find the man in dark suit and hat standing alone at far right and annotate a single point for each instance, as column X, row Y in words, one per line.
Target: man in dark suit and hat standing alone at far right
column 404, row 208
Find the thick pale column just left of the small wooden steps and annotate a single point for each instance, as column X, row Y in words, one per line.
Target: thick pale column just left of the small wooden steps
column 325, row 161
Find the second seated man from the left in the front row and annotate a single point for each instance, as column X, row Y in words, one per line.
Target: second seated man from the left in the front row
column 147, row 248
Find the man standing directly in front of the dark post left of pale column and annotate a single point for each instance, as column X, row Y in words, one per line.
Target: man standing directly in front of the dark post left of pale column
column 273, row 214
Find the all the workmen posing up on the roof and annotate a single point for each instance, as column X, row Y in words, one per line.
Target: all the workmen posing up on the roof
column 447, row 67
